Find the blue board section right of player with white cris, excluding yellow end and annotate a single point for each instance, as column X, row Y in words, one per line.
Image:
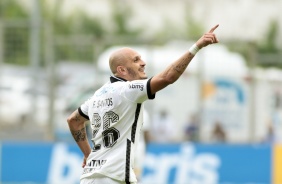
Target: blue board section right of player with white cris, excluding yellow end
column 196, row 163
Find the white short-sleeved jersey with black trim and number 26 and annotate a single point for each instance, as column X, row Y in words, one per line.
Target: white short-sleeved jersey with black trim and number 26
column 115, row 112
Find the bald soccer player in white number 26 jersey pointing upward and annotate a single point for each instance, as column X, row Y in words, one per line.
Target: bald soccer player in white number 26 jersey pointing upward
column 115, row 114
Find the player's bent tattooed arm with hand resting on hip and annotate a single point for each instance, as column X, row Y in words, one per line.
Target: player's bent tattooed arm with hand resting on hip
column 77, row 127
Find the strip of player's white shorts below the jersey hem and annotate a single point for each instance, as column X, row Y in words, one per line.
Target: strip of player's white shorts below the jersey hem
column 101, row 179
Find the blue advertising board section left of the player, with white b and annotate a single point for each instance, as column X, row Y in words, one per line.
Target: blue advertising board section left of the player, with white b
column 40, row 163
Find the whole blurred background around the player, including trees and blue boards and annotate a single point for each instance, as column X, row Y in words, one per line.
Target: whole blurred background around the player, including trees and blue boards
column 53, row 55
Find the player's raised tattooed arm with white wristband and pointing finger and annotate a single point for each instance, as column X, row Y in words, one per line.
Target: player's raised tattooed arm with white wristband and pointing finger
column 175, row 70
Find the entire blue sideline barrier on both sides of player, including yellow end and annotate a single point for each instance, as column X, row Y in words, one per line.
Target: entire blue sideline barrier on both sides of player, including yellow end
column 185, row 163
